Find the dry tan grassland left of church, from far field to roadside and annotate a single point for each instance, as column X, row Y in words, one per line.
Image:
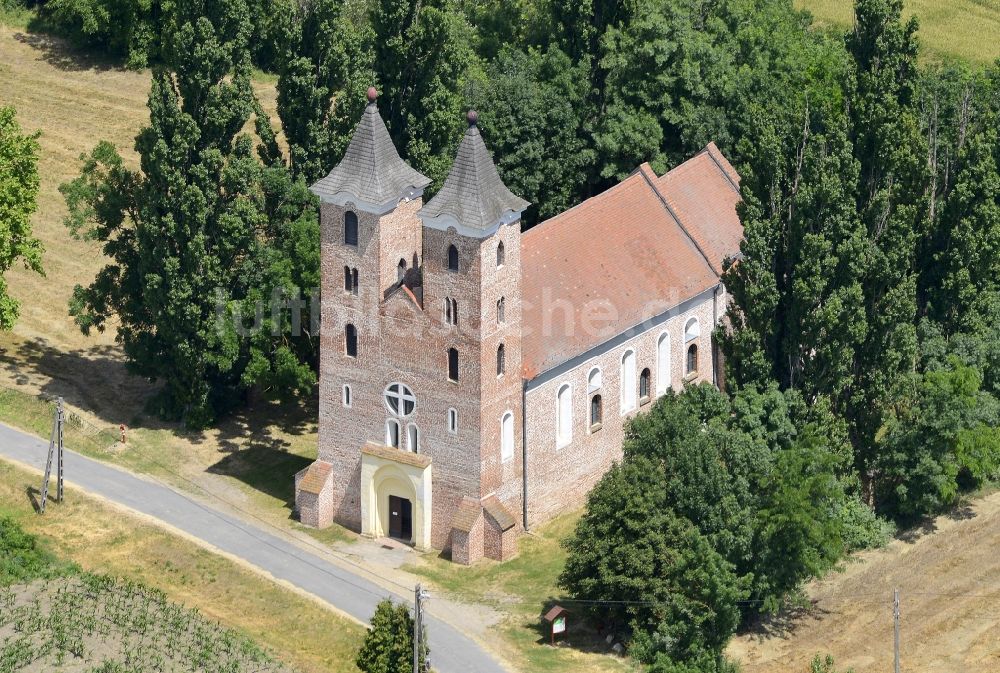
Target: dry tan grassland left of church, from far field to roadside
column 75, row 101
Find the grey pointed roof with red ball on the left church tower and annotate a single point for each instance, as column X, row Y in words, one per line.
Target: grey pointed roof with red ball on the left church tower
column 371, row 175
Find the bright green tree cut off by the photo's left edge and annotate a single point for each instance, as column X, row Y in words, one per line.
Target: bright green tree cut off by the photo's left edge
column 18, row 200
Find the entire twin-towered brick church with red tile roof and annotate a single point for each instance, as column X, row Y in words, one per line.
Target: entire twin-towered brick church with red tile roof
column 474, row 378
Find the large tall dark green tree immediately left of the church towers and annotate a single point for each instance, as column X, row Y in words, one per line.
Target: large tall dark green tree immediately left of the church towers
column 193, row 234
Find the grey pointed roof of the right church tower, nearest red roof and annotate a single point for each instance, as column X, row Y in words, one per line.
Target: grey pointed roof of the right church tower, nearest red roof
column 473, row 199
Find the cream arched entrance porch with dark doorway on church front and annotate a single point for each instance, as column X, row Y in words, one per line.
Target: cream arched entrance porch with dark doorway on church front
column 396, row 495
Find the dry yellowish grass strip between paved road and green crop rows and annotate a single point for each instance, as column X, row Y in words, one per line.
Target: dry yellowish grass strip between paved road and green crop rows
column 105, row 539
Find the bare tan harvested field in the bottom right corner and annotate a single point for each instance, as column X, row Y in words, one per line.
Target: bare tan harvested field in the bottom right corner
column 948, row 575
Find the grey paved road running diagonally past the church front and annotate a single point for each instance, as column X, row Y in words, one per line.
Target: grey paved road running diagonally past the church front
column 451, row 651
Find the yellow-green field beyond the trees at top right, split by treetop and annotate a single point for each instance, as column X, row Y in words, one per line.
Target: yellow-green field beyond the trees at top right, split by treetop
column 966, row 29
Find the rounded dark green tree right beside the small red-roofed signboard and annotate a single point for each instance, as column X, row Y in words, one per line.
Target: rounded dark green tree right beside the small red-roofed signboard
column 659, row 575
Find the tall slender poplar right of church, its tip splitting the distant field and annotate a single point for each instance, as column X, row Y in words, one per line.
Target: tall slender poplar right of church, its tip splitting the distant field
column 887, row 146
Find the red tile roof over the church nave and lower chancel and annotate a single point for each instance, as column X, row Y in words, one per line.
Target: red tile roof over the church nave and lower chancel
column 624, row 256
